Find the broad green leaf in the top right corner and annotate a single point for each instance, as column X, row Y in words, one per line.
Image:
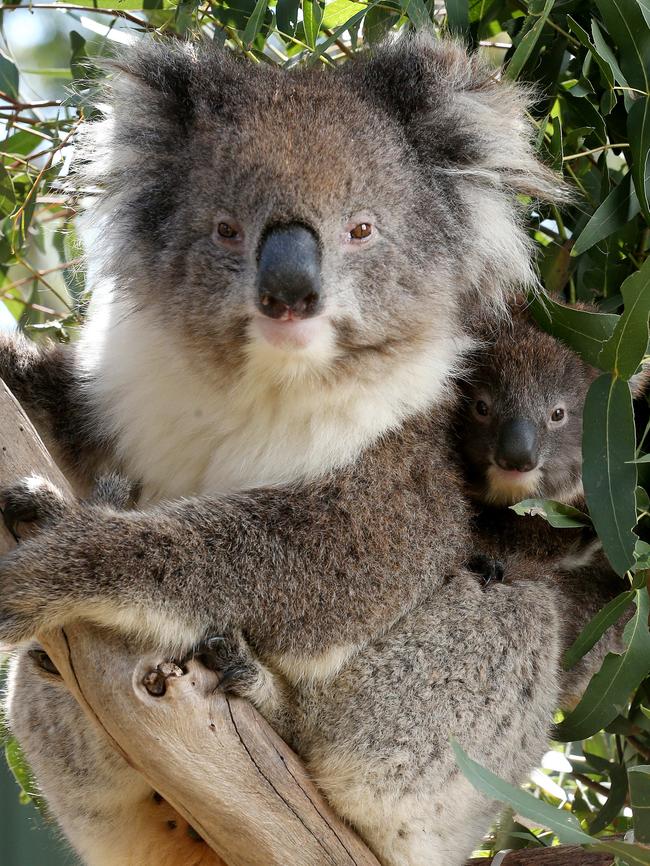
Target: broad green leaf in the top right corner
column 626, row 26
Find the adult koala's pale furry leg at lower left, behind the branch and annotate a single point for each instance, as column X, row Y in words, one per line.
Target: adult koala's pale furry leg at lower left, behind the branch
column 109, row 813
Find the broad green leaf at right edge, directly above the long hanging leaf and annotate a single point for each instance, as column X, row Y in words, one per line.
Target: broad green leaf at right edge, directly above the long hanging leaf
column 627, row 346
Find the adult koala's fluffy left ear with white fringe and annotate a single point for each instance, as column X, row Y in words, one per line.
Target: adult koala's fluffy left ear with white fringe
column 138, row 155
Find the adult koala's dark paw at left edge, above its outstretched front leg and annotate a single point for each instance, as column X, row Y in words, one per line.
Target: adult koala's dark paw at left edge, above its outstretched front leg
column 34, row 501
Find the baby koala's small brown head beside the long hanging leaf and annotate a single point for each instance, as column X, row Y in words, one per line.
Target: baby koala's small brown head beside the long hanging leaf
column 519, row 426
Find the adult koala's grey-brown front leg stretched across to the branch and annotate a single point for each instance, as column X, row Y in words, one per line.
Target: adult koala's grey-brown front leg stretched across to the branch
column 258, row 562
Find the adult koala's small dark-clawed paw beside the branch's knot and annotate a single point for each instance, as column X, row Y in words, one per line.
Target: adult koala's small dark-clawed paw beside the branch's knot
column 240, row 672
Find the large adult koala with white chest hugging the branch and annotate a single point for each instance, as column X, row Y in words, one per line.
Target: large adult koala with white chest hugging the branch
column 280, row 263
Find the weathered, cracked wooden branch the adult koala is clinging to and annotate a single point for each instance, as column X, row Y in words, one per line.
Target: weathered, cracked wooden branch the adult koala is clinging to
column 213, row 758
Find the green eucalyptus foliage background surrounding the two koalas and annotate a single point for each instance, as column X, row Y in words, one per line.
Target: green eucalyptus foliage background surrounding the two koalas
column 590, row 63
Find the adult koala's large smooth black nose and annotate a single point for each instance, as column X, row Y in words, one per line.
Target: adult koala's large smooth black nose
column 288, row 273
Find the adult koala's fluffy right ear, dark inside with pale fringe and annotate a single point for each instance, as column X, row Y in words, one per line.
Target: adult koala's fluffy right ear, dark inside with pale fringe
column 456, row 114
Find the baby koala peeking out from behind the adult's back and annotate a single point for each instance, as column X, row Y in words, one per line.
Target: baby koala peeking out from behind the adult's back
column 517, row 431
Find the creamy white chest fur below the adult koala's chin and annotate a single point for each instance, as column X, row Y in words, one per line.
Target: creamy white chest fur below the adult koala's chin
column 181, row 432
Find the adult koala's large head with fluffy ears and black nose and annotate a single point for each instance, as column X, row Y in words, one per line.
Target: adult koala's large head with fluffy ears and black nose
column 317, row 221
